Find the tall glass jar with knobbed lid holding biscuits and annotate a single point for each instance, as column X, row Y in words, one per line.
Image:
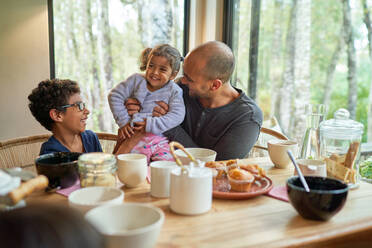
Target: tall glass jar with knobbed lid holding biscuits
column 340, row 140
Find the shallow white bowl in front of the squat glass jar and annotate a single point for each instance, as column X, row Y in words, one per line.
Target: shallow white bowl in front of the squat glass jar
column 85, row 199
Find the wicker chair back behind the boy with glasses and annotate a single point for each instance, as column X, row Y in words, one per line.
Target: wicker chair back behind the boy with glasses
column 21, row 152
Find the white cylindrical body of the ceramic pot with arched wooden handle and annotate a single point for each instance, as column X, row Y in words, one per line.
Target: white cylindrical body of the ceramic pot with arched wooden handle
column 191, row 190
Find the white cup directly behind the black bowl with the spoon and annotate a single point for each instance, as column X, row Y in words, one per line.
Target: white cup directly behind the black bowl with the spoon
column 312, row 167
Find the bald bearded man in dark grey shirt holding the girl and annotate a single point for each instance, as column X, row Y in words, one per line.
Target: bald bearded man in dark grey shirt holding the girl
column 218, row 116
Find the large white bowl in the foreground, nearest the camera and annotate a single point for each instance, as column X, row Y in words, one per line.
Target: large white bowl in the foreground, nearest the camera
column 132, row 225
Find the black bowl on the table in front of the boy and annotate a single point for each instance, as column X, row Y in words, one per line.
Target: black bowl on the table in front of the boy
column 61, row 168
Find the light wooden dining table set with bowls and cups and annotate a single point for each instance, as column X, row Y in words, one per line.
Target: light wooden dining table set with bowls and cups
column 260, row 221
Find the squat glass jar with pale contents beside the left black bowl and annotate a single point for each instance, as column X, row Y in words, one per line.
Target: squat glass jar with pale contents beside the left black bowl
column 97, row 169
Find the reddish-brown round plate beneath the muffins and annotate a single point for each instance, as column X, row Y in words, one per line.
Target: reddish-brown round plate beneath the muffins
column 259, row 187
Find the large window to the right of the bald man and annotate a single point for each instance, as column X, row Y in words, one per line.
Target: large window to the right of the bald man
column 309, row 51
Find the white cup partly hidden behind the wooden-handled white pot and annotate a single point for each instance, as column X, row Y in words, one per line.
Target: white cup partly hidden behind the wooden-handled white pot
column 160, row 177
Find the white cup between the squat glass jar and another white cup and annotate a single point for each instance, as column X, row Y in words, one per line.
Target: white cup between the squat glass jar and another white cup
column 132, row 169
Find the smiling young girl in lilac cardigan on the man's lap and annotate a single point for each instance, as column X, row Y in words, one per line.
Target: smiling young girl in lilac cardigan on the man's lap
column 161, row 65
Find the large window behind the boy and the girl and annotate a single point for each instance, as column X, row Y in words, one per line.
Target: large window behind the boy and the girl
column 98, row 43
